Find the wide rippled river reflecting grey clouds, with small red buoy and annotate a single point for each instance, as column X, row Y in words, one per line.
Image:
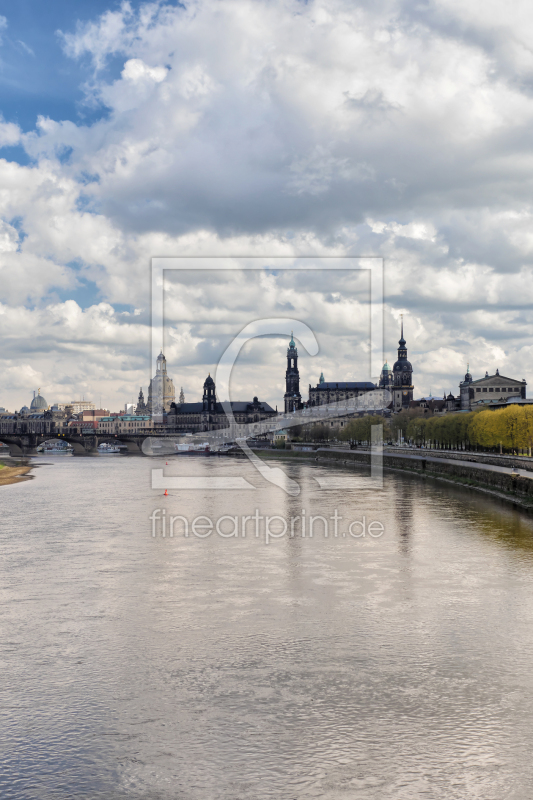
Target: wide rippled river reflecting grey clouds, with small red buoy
column 137, row 666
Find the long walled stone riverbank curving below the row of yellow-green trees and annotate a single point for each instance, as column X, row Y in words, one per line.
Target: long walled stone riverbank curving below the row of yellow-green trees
column 497, row 482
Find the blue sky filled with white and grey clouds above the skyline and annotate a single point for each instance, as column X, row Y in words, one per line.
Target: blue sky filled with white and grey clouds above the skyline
column 227, row 127
